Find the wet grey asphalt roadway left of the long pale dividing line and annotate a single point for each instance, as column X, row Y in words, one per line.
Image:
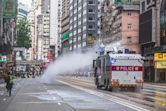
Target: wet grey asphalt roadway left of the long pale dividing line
column 32, row 95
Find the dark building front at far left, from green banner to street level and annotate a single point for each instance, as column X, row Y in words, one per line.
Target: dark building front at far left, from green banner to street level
column 7, row 35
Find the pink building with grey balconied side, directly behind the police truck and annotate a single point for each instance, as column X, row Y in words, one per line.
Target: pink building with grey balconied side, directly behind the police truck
column 120, row 25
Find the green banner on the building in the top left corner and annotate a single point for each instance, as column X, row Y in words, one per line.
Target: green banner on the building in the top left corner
column 9, row 8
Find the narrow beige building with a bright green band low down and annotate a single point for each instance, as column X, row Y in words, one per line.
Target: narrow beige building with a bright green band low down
column 65, row 26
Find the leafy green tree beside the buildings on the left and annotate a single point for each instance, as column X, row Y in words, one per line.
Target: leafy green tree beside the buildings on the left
column 23, row 33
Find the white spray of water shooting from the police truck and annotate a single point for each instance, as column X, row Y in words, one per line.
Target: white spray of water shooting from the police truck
column 68, row 64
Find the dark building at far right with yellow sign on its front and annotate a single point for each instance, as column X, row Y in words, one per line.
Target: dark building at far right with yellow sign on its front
column 152, row 37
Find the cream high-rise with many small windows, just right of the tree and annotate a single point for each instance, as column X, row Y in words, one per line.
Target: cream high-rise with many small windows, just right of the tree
column 39, row 17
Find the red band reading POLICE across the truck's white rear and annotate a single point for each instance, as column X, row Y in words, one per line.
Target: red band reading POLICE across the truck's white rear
column 127, row 68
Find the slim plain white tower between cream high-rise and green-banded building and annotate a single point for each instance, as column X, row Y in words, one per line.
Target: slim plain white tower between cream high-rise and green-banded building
column 55, row 26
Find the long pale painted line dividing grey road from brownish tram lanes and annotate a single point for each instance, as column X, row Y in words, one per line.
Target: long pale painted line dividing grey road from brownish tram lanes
column 108, row 97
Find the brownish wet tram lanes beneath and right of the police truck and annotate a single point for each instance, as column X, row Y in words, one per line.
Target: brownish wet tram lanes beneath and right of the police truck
column 151, row 97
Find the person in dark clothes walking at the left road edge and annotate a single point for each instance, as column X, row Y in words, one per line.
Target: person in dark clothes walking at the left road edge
column 9, row 83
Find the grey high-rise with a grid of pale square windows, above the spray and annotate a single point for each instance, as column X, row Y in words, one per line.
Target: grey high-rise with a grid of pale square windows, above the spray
column 83, row 24
